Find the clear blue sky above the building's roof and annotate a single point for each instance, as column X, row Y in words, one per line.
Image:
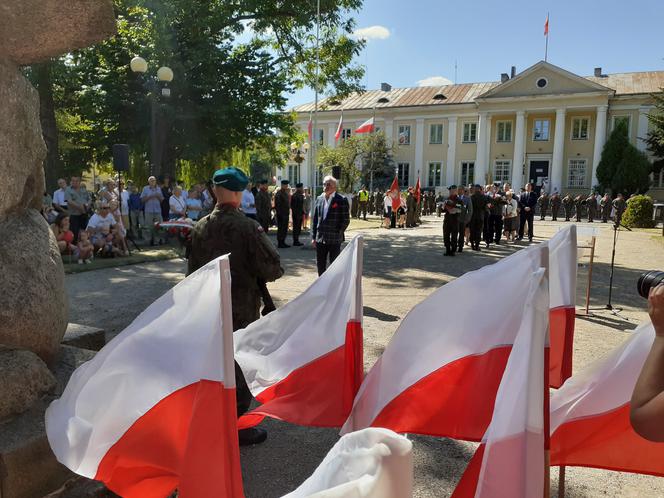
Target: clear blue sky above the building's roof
column 416, row 42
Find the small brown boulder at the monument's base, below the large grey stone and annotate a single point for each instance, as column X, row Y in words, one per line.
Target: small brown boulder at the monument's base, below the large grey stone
column 25, row 378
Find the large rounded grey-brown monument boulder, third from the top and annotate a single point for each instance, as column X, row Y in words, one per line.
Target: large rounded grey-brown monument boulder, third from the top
column 33, row 303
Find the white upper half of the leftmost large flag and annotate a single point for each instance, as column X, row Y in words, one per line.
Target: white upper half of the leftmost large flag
column 146, row 362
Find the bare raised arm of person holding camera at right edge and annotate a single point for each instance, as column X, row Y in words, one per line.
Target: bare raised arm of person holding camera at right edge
column 647, row 406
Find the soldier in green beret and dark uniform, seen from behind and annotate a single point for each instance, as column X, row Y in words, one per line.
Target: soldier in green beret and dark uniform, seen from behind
column 226, row 230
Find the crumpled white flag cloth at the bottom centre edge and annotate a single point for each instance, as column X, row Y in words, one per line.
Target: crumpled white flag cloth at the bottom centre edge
column 371, row 463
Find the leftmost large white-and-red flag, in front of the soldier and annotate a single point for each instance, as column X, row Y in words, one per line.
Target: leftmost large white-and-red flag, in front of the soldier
column 155, row 409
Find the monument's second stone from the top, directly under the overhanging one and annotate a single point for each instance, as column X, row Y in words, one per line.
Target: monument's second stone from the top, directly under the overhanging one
column 21, row 141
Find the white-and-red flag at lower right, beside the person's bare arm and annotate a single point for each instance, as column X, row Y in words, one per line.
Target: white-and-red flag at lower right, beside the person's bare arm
column 590, row 424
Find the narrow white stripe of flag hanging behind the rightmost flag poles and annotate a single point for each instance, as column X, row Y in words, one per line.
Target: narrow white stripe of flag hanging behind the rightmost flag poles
column 563, row 263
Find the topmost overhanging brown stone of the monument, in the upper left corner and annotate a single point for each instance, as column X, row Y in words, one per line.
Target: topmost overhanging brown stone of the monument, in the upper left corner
column 36, row 30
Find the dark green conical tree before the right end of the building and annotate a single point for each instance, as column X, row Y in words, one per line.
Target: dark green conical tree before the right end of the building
column 622, row 167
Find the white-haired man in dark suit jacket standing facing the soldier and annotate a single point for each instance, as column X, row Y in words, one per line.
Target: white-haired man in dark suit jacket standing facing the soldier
column 331, row 218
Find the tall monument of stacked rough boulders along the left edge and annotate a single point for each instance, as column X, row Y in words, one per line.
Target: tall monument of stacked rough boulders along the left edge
column 33, row 305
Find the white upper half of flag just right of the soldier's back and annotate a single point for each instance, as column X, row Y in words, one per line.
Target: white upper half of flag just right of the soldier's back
column 271, row 348
